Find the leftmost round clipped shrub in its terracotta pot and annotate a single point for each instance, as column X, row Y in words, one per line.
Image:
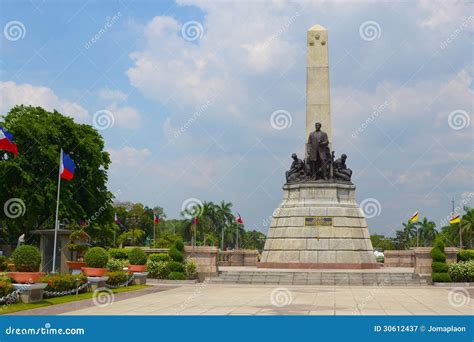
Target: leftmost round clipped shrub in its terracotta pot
column 27, row 261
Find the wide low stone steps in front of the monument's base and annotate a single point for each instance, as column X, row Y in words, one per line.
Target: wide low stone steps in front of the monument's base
column 336, row 278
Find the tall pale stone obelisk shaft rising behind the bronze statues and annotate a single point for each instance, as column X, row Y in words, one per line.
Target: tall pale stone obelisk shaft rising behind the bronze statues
column 318, row 107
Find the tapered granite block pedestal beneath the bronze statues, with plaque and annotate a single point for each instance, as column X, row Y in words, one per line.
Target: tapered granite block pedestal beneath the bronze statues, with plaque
column 317, row 226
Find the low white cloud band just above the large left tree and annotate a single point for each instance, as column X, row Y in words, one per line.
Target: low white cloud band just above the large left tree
column 15, row 94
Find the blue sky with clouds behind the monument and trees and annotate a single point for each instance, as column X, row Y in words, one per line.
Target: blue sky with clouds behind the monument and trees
column 191, row 108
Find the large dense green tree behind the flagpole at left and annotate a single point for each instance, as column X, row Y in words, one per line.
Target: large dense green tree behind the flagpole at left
column 32, row 177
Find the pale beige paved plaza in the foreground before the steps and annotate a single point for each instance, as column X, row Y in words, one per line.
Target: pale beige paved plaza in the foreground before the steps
column 213, row 299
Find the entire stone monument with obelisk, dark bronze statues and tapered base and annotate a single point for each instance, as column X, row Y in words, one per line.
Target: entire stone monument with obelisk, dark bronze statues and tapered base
column 318, row 224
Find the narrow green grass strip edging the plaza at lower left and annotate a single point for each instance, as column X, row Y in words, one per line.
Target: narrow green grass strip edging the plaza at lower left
column 6, row 309
